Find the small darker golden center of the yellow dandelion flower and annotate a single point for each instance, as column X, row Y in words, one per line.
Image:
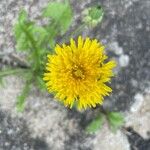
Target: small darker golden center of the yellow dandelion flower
column 78, row 72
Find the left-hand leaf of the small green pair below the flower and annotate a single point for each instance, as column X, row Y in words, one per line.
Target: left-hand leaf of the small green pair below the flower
column 95, row 125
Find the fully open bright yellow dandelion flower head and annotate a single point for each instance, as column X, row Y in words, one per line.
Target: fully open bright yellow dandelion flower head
column 78, row 72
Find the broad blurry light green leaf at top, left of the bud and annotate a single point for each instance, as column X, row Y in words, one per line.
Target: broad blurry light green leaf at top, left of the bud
column 61, row 13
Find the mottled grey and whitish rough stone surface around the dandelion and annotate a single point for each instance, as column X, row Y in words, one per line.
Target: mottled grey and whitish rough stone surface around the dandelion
column 45, row 125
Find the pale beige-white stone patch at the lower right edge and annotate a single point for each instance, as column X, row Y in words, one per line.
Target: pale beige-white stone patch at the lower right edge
column 139, row 119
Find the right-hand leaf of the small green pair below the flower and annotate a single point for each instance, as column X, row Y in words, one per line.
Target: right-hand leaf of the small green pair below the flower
column 116, row 120
